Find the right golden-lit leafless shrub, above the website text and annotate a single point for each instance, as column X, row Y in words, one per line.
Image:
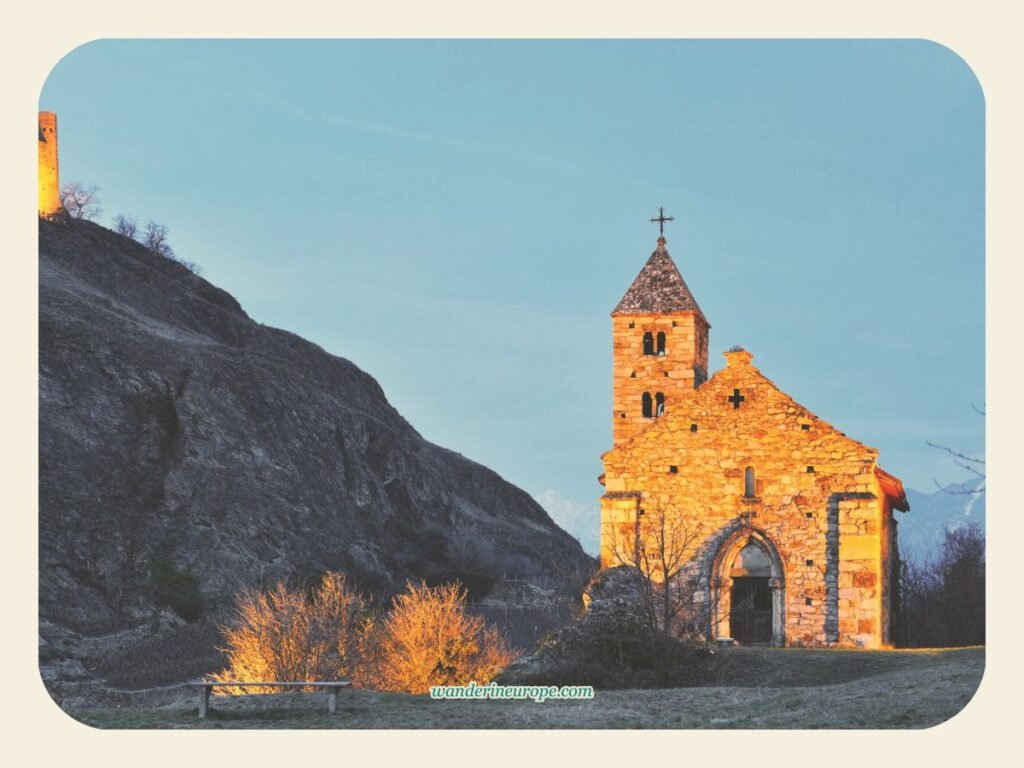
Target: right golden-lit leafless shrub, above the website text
column 429, row 639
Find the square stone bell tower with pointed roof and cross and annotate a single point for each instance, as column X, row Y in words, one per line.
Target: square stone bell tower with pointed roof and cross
column 660, row 345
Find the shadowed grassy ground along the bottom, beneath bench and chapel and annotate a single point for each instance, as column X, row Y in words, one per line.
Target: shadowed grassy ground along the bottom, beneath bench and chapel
column 761, row 689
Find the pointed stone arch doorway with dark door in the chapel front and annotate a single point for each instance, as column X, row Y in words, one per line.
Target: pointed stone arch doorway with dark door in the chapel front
column 750, row 590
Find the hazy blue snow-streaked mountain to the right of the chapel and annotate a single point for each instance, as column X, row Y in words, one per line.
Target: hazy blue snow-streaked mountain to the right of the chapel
column 923, row 529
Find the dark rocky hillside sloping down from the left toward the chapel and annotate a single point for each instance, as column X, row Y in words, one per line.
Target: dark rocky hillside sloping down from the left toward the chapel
column 188, row 451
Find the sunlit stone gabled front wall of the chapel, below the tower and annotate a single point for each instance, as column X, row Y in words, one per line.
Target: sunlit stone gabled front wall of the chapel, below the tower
column 818, row 505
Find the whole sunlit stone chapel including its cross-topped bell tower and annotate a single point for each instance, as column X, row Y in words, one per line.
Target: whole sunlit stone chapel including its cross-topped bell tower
column 784, row 526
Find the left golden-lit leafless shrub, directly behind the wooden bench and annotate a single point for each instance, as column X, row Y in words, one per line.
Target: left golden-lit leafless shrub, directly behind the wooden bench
column 287, row 635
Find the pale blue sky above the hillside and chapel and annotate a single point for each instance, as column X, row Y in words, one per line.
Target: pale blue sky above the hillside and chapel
column 460, row 218
